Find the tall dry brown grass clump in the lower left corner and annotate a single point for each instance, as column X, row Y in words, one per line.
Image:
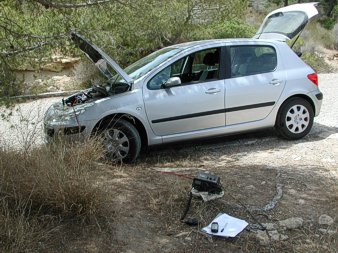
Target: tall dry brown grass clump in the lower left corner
column 45, row 189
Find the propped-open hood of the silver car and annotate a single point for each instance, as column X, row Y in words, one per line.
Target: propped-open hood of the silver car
column 99, row 58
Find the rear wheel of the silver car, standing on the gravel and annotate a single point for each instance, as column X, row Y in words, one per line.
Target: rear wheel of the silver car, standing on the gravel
column 294, row 119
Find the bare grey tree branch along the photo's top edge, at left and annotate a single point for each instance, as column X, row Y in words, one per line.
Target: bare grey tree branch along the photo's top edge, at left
column 49, row 4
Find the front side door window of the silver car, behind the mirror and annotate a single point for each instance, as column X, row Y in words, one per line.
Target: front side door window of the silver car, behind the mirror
column 198, row 67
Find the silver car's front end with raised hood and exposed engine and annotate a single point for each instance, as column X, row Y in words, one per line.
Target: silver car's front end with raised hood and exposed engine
column 75, row 116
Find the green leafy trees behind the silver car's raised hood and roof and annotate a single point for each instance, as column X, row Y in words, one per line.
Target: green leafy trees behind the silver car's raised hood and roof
column 33, row 31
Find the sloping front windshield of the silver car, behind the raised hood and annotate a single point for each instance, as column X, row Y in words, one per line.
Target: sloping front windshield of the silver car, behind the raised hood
column 148, row 63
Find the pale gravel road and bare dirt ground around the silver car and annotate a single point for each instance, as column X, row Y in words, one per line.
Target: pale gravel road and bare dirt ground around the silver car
column 251, row 167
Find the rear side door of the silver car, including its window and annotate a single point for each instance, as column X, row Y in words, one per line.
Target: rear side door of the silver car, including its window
column 256, row 81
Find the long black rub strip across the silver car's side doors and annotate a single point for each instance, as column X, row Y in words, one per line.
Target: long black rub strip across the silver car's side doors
column 200, row 114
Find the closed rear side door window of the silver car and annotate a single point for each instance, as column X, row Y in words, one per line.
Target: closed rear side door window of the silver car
column 252, row 60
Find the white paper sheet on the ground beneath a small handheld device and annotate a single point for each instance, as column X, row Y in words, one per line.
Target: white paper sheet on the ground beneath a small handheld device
column 228, row 226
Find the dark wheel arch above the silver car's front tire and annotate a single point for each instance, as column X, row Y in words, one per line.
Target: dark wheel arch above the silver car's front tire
column 125, row 116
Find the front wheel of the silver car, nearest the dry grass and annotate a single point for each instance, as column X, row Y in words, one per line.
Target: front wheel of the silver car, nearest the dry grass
column 122, row 142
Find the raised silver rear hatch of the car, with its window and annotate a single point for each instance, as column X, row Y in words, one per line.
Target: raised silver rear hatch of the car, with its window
column 286, row 23
